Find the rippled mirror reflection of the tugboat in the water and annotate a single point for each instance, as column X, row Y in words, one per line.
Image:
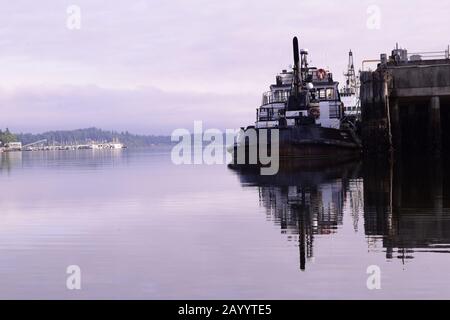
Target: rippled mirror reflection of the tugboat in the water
column 304, row 198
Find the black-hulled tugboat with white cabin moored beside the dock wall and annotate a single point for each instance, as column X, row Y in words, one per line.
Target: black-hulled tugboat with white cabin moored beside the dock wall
column 304, row 105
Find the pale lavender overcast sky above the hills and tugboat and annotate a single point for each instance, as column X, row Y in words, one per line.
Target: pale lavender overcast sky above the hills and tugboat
column 156, row 65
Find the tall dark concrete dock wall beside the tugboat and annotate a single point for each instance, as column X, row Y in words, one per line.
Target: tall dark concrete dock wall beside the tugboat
column 405, row 107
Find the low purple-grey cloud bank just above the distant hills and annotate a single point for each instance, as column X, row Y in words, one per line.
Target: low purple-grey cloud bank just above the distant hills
column 144, row 110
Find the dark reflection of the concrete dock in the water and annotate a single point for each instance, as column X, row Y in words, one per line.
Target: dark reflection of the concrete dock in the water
column 407, row 205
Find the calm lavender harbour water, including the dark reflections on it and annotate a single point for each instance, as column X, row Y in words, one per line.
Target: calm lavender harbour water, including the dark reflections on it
column 140, row 227
